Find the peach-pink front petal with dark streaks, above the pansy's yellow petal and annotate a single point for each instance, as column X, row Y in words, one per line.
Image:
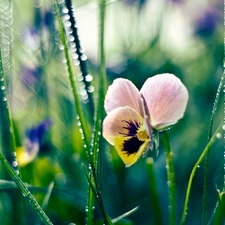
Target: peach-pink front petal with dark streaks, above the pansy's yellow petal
column 115, row 123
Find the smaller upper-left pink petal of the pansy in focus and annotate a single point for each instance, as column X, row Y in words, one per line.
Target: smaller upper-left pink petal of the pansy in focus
column 122, row 93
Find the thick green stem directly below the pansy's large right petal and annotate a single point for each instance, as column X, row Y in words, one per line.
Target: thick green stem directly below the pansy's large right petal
column 171, row 181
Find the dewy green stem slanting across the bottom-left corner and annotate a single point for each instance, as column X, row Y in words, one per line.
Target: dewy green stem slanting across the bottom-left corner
column 26, row 193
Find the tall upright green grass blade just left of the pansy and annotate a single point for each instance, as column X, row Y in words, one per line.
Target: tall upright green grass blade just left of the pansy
column 99, row 113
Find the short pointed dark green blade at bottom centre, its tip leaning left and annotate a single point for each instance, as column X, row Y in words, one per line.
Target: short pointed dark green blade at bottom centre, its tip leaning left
column 98, row 199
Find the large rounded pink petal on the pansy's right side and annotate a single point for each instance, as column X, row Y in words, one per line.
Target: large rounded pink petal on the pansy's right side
column 166, row 99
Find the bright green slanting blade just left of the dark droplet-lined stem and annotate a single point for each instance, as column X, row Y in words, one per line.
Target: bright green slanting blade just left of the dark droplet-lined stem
column 71, row 79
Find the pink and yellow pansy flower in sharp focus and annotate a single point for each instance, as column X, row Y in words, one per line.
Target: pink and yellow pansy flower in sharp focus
column 133, row 115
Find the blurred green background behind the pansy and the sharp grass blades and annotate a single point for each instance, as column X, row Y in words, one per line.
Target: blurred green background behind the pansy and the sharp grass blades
column 142, row 38
